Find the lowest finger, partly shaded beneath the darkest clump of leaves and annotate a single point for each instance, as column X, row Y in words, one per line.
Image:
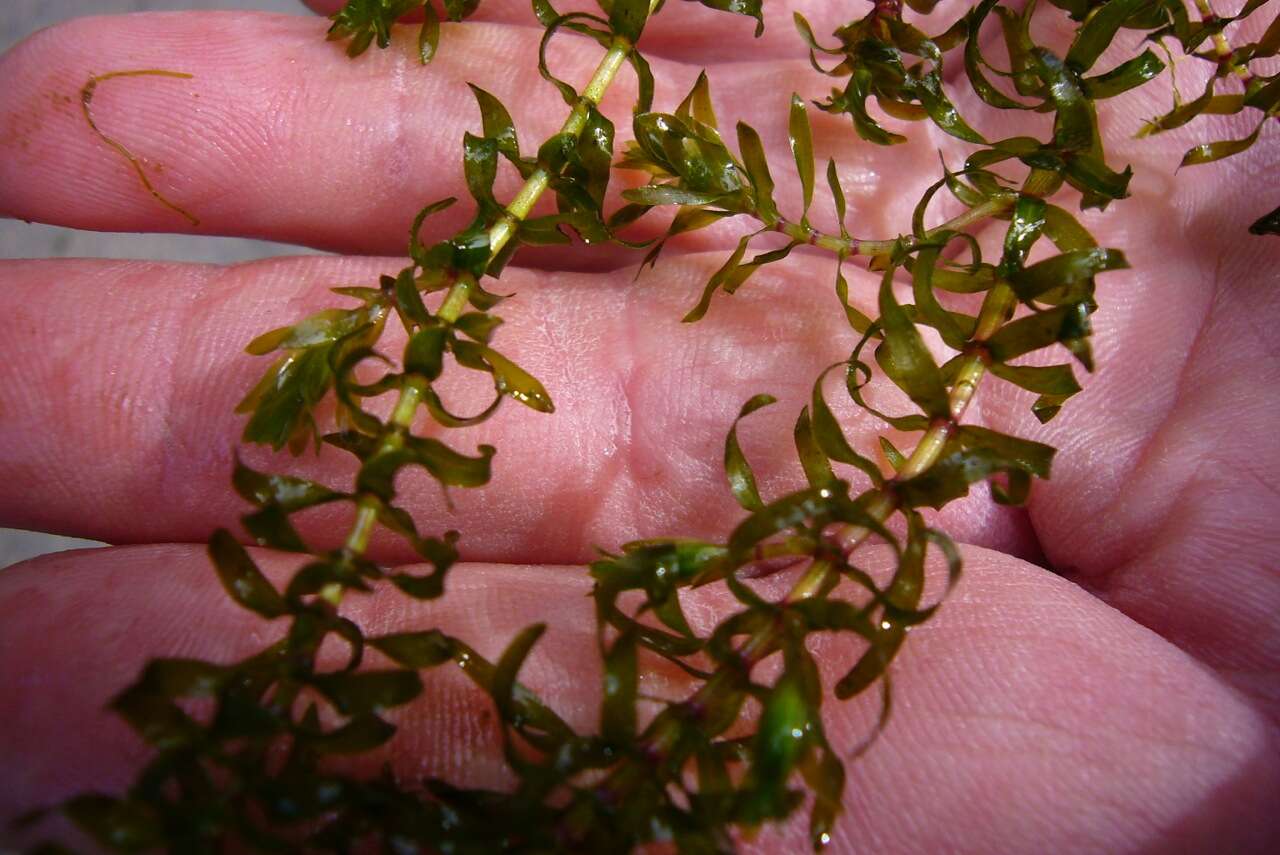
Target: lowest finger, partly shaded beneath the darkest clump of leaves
column 999, row 742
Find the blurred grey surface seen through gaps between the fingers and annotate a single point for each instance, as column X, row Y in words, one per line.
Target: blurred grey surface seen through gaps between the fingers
column 19, row 20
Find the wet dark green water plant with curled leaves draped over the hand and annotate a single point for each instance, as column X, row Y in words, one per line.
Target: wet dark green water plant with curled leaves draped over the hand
column 248, row 762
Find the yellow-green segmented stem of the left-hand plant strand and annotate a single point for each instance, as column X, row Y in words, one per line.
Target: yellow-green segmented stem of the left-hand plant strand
column 456, row 300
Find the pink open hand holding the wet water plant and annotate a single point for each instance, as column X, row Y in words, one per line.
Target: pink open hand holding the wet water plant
column 1130, row 707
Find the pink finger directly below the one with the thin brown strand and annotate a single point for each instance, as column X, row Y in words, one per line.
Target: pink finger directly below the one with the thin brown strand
column 130, row 438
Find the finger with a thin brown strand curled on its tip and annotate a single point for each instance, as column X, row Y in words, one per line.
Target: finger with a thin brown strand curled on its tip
column 278, row 135
